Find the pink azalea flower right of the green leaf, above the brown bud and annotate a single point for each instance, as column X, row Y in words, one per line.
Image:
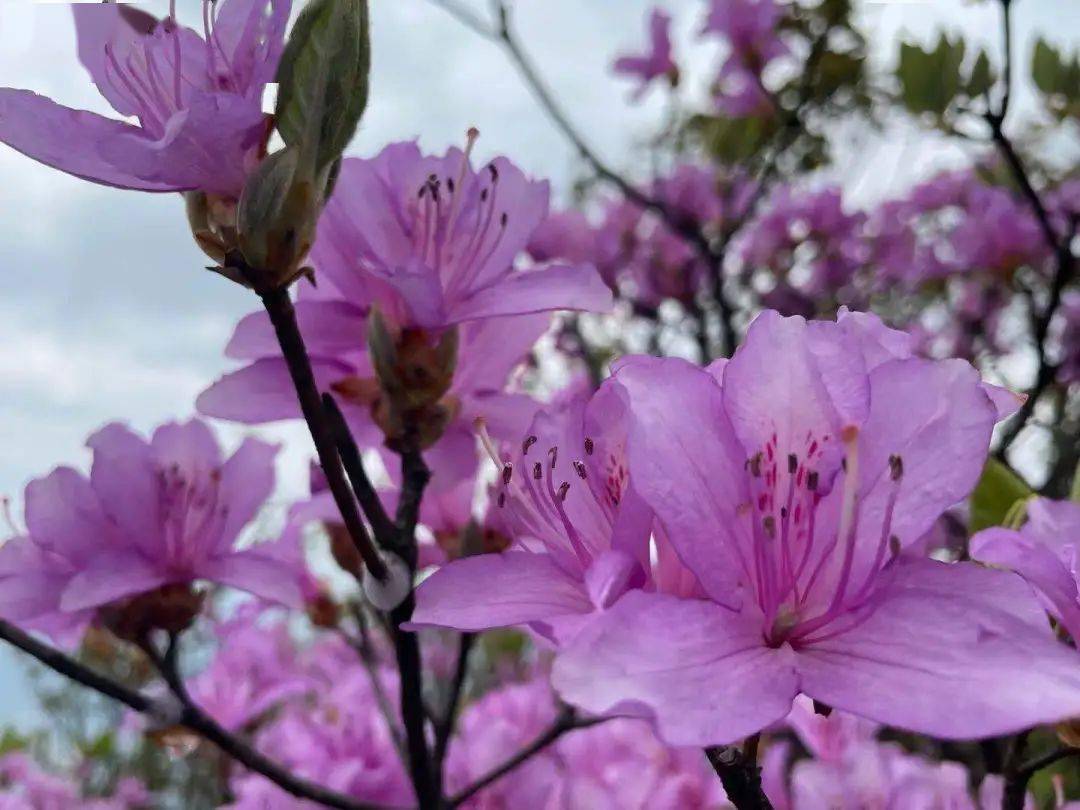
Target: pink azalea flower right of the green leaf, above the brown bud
column 433, row 242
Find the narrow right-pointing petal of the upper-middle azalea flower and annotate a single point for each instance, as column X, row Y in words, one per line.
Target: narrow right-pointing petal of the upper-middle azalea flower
column 559, row 288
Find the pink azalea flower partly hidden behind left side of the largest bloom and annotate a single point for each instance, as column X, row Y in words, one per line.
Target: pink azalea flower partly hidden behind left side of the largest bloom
column 580, row 532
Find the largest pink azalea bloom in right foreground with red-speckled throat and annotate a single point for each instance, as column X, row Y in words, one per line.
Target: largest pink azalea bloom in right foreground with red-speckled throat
column 788, row 480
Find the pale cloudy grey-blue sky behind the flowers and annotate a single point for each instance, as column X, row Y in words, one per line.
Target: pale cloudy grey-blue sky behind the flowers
column 106, row 312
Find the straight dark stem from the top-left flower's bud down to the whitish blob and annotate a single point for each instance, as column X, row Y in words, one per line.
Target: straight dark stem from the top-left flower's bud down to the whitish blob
column 283, row 317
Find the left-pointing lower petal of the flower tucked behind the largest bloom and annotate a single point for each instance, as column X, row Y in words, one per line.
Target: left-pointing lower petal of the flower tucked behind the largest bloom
column 498, row 591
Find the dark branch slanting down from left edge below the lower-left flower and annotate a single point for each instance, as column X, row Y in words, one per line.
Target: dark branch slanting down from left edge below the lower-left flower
column 190, row 717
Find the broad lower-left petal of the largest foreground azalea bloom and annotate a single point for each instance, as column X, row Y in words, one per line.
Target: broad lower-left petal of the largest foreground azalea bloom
column 700, row 671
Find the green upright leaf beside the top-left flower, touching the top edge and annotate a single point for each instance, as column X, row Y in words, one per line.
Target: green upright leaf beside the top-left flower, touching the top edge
column 323, row 79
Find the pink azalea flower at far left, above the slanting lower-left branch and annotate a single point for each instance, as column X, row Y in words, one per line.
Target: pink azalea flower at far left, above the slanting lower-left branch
column 151, row 515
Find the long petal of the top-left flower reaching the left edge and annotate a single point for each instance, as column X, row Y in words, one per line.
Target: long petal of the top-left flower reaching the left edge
column 73, row 141
